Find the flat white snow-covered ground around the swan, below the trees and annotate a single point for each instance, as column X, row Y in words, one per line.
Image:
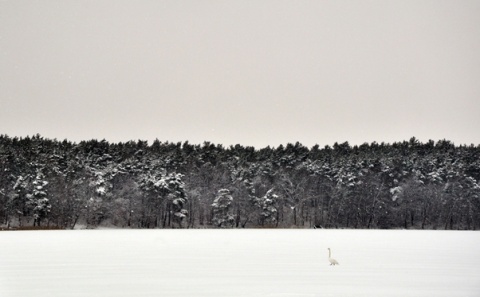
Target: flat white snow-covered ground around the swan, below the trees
column 234, row 263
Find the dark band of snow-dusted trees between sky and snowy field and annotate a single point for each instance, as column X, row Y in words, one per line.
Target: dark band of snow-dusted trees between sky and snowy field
column 134, row 184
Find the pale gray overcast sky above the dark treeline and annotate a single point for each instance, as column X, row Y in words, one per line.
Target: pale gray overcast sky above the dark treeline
column 249, row 72
